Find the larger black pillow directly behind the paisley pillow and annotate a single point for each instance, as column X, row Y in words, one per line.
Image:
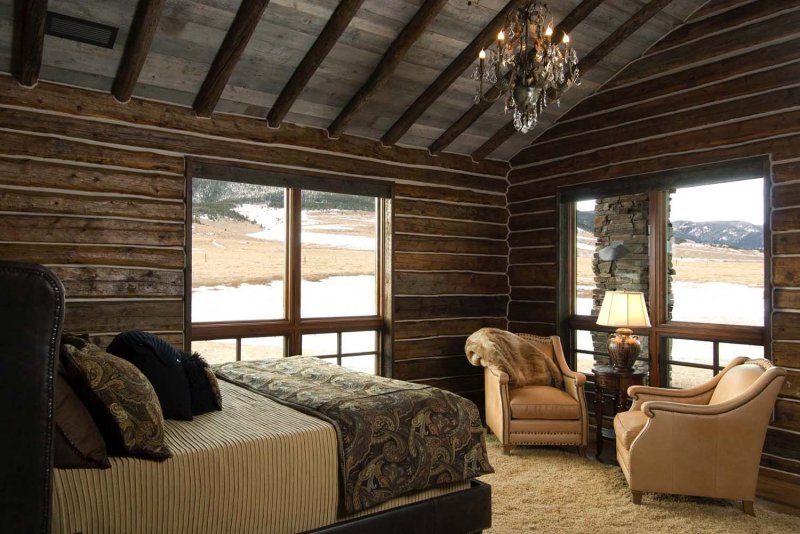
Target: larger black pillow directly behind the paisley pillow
column 160, row 362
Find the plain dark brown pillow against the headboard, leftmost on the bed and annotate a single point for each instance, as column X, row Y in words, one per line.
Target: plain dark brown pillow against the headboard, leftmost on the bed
column 77, row 440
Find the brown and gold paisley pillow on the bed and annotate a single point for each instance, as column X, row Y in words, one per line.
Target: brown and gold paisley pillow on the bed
column 121, row 400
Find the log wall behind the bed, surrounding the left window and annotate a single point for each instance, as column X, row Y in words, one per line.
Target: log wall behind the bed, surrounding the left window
column 95, row 190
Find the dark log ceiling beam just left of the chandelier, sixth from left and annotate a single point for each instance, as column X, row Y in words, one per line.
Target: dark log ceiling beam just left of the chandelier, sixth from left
column 450, row 75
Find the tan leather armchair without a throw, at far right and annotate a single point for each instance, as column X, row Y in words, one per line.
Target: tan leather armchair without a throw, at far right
column 704, row 441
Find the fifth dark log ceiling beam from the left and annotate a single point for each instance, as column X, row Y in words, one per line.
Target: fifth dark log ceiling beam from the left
column 388, row 64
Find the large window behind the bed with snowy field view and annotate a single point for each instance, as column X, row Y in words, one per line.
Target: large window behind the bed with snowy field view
column 284, row 265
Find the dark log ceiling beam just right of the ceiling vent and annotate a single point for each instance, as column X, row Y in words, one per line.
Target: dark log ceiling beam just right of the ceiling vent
column 140, row 37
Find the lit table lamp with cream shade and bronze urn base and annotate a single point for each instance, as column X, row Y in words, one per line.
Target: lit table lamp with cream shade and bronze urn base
column 625, row 310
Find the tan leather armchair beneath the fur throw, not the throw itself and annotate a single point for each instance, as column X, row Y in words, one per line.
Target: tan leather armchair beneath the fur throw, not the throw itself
column 538, row 415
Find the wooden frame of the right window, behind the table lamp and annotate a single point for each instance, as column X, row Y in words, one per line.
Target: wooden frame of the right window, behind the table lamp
column 657, row 185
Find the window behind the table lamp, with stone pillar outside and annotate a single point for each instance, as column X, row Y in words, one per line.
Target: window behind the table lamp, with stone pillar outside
column 694, row 244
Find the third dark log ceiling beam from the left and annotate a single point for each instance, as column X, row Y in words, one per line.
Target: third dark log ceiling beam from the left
column 244, row 24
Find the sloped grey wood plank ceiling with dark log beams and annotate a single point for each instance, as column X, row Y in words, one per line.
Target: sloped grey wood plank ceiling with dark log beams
column 390, row 70
